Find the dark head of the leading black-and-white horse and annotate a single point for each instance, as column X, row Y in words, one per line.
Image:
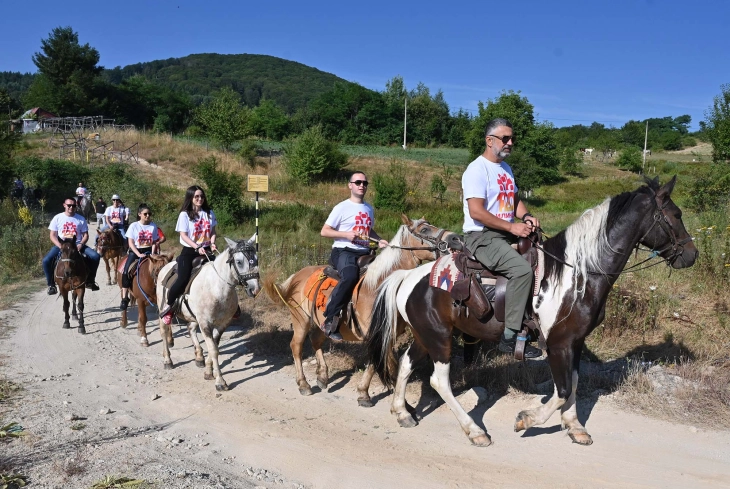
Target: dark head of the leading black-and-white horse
column 665, row 233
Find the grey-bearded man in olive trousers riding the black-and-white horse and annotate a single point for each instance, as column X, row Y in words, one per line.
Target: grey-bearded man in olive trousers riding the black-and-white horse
column 491, row 202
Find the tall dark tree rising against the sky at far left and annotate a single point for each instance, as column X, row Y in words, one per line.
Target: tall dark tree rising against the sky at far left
column 67, row 73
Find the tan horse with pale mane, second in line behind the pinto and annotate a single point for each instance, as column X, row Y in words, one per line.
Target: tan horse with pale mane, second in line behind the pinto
column 406, row 251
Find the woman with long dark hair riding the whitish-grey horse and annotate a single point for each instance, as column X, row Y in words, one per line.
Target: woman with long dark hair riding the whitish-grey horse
column 196, row 225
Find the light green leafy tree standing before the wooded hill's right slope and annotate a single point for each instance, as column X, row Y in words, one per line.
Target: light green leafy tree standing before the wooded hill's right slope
column 223, row 119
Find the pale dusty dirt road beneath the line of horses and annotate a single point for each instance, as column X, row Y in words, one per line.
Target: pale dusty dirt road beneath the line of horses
column 263, row 433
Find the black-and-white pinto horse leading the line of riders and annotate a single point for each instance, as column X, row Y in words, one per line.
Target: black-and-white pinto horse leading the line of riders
column 581, row 265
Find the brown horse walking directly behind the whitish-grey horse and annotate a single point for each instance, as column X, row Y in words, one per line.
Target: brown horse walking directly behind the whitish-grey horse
column 144, row 290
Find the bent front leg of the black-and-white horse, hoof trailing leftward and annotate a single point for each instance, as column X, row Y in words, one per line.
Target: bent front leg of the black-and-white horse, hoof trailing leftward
column 561, row 366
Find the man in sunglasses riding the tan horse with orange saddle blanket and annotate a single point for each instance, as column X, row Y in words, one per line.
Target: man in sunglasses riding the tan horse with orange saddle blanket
column 350, row 224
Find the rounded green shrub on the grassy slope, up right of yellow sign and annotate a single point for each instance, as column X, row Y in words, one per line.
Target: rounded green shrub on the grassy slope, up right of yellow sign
column 311, row 156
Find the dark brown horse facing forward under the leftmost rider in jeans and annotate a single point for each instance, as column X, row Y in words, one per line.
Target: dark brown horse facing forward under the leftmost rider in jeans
column 70, row 274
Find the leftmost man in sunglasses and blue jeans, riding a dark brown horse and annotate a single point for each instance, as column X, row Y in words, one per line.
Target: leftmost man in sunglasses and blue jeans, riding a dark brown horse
column 70, row 225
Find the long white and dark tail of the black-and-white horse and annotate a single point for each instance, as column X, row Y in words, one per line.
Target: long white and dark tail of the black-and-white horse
column 383, row 329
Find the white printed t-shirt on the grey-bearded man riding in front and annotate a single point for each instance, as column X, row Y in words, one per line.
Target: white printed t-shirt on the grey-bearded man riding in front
column 493, row 182
